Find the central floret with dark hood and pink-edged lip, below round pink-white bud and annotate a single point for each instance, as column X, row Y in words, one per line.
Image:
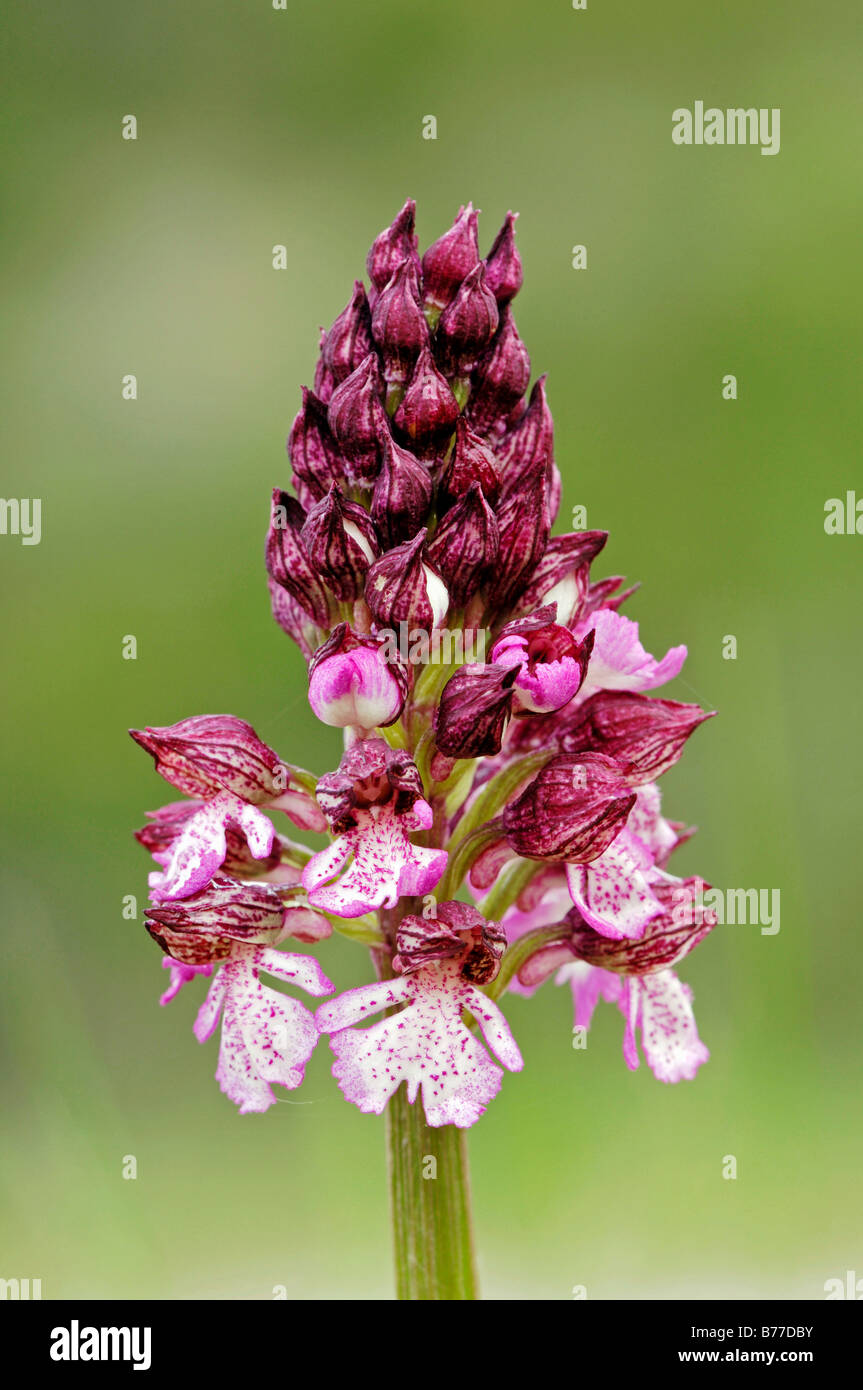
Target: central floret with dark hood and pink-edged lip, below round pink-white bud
column 373, row 803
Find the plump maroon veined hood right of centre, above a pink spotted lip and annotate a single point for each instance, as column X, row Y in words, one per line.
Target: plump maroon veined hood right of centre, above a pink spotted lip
column 572, row 811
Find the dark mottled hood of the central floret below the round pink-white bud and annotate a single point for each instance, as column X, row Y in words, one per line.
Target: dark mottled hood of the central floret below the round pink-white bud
column 372, row 775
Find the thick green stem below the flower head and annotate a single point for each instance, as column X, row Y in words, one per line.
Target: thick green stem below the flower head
column 431, row 1210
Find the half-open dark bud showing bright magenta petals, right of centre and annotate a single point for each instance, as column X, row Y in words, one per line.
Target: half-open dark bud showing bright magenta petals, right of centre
column 552, row 665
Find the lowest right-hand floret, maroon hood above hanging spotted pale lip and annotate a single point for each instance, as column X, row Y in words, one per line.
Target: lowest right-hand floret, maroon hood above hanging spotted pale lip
column 639, row 978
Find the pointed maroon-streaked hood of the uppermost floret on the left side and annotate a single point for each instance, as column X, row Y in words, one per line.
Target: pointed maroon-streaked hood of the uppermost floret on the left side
column 211, row 754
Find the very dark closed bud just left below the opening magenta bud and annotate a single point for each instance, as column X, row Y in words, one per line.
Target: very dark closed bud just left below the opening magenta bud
column 475, row 710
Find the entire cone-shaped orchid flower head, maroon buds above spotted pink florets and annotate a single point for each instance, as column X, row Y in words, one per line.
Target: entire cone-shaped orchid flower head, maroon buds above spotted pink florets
column 495, row 817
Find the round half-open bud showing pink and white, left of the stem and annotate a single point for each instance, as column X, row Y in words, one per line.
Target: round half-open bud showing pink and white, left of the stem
column 354, row 685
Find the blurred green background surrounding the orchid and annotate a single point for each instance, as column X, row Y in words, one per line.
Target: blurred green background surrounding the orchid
column 259, row 127
